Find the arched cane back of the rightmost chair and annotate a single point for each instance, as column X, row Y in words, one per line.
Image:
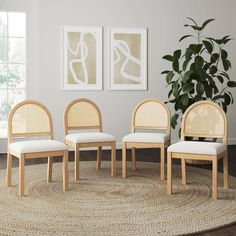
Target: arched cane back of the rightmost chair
column 204, row 119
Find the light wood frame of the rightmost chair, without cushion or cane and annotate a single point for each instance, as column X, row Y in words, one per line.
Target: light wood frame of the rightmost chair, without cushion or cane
column 213, row 158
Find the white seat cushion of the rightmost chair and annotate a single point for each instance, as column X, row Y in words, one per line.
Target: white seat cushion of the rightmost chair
column 208, row 148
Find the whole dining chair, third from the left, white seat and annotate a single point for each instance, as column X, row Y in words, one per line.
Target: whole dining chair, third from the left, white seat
column 150, row 128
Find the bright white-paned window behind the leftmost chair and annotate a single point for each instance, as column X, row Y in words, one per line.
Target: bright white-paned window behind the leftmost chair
column 12, row 63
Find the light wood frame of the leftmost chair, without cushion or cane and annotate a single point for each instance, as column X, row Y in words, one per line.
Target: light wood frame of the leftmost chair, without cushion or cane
column 25, row 156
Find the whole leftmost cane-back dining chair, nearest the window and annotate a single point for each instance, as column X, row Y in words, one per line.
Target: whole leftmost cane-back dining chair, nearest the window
column 31, row 121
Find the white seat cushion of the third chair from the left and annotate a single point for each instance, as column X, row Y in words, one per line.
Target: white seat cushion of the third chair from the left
column 146, row 138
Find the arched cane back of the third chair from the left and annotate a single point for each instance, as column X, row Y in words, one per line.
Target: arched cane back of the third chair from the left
column 151, row 114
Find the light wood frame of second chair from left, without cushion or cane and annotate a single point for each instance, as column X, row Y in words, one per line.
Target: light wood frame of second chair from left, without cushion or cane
column 99, row 145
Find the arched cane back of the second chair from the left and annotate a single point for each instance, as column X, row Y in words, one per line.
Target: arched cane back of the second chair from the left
column 82, row 114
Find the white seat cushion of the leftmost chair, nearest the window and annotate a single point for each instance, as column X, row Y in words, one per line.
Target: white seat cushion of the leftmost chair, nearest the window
column 31, row 146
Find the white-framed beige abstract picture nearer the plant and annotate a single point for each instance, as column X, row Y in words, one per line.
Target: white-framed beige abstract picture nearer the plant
column 128, row 58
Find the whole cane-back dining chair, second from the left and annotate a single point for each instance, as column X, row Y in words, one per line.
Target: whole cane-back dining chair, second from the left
column 83, row 128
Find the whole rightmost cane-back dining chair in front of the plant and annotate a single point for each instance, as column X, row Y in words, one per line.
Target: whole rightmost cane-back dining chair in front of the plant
column 204, row 119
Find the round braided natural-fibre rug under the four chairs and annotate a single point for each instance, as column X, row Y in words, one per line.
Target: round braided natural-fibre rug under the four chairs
column 99, row 204
